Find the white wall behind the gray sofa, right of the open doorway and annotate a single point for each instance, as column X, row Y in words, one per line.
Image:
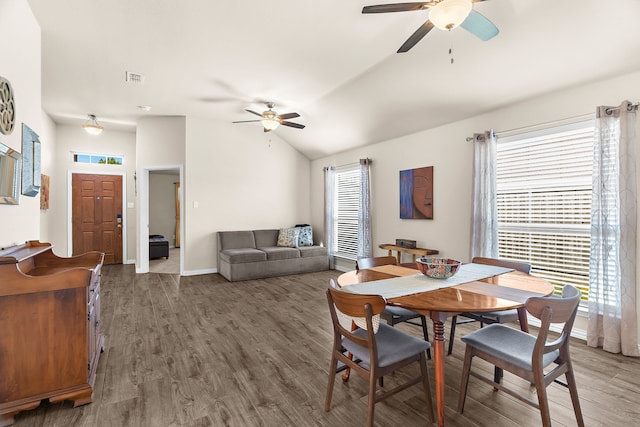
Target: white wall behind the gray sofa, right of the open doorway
column 240, row 178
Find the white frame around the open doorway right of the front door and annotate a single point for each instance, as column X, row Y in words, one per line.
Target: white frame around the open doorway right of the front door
column 142, row 265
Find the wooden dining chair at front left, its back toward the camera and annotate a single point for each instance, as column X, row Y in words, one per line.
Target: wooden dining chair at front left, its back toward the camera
column 376, row 350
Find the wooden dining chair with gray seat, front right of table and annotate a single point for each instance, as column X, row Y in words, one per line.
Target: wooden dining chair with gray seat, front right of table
column 528, row 356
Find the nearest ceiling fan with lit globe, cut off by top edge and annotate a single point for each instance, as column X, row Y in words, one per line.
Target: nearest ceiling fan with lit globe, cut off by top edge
column 443, row 14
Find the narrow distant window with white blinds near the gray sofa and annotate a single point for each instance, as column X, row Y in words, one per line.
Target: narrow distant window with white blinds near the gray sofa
column 347, row 190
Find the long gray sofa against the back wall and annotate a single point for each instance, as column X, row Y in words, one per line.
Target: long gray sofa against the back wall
column 245, row 255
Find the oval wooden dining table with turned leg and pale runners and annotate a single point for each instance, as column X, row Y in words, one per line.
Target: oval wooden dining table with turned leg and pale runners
column 474, row 288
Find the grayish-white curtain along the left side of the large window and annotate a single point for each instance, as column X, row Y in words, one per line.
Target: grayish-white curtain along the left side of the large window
column 484, row 224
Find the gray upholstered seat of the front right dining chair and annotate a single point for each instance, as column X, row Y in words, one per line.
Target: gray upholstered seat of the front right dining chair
column 508, row 344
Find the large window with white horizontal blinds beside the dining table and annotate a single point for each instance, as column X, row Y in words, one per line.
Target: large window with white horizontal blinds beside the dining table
column 543, row 184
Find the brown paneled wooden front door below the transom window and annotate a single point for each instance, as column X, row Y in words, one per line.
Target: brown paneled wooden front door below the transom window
column 97, row 215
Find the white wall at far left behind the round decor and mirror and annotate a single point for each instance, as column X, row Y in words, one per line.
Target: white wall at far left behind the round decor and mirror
column 20, row 64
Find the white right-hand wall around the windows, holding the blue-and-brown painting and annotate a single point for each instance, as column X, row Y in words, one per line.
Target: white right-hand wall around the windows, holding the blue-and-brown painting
column 446, row 149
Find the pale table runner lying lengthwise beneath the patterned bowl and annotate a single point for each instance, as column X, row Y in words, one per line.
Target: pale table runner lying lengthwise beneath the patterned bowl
column 416, row 283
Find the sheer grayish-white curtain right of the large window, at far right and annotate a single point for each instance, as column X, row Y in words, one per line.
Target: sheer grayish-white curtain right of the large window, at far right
column 612, row 288
